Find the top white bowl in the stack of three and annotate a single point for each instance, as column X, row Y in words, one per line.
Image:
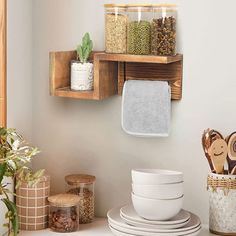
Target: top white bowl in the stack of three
column 156, row 176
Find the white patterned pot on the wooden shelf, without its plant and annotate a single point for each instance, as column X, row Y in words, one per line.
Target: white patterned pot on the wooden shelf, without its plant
column 81, row 76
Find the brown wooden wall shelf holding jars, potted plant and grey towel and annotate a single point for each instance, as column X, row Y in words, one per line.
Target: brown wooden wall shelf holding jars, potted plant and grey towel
column 112, row 70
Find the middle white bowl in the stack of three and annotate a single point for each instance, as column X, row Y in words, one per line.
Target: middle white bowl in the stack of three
column 159, row 191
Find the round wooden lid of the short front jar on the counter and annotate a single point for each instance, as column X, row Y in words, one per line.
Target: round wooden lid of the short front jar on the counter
column 64, row 200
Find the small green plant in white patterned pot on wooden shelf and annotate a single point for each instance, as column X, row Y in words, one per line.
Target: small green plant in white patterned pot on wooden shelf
column 82, row 69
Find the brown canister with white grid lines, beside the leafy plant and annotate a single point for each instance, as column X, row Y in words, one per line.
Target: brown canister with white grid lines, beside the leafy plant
column 32, row 205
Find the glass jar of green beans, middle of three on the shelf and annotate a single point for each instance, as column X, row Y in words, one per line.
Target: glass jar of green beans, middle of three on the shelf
column 139, row 29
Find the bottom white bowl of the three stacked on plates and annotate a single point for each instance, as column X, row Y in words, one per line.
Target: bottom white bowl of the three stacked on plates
column 155, row 209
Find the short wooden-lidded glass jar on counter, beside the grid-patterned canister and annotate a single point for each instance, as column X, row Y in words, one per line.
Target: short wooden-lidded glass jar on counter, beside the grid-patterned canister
column 64, row 213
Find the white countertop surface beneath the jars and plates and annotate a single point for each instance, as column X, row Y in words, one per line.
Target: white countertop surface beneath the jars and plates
column 99, row 228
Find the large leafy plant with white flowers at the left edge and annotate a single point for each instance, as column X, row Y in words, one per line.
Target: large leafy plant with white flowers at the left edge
column 15, row 155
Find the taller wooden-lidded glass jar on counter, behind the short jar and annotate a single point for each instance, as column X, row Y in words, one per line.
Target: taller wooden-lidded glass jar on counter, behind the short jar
column 83, row 186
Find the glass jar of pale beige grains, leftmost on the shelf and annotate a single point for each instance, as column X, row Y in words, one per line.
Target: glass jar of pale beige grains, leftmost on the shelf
column 115, row 28
